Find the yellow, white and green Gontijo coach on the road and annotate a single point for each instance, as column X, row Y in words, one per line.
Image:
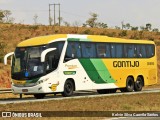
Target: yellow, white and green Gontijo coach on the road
column 65, row 63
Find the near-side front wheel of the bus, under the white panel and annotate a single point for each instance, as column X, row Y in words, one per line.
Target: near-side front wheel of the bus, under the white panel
column 68, row 88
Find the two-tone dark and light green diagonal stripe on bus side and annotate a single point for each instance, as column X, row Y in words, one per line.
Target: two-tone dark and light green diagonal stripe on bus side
column 96, row 70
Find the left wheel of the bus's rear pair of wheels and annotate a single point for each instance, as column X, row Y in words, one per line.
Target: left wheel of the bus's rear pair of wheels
column 129, row 84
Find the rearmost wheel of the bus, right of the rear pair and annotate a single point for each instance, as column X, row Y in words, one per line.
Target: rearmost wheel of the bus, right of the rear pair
column 138, row 84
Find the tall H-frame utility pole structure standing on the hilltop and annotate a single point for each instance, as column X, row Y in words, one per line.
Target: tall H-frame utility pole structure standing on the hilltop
column 54, row 14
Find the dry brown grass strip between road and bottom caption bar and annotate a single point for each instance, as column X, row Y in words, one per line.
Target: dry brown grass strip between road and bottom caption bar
column 136, row 102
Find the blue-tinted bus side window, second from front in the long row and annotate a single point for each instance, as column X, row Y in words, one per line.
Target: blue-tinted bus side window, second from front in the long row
column 88, row 50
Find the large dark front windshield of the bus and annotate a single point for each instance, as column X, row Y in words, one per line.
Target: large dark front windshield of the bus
column 26, row 62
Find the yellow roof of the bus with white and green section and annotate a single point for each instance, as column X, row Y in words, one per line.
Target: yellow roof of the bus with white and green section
column 42, row 40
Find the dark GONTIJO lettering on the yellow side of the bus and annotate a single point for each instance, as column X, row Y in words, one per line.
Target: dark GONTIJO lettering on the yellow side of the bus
column 125, row 64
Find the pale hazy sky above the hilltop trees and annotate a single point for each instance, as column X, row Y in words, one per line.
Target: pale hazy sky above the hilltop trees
column 112, row 12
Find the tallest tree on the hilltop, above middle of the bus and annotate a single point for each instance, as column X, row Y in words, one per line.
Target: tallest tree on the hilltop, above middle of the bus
column 92, row 21
